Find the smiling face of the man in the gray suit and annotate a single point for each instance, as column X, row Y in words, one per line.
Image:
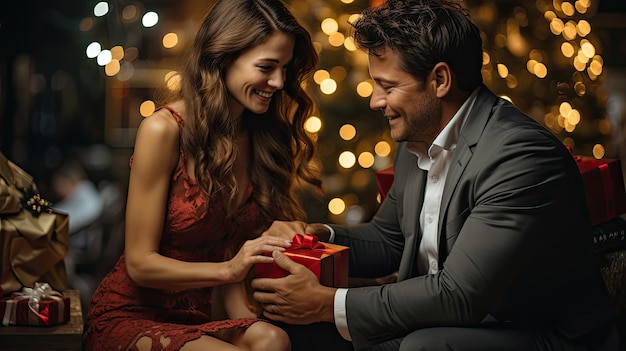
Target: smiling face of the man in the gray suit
column 410, row 105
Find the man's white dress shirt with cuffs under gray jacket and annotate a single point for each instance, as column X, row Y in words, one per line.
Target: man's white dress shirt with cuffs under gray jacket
column 436, row 161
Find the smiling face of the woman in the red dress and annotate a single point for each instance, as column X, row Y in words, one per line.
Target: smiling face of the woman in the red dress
column 254, row 77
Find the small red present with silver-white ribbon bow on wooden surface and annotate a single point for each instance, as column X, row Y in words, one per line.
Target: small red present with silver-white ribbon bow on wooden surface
column 38, row 306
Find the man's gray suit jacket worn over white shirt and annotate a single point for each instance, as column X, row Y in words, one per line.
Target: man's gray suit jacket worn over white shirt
column 514, row 238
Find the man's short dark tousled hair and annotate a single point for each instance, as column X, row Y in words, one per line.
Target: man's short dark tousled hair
column 424, row 33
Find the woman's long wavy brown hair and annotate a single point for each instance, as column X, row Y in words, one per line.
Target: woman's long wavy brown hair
column 282, row 153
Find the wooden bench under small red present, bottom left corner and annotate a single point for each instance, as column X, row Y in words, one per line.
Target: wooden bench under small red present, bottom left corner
column 62, row 337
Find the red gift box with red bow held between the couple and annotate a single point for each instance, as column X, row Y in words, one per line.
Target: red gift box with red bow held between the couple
column 329, row 262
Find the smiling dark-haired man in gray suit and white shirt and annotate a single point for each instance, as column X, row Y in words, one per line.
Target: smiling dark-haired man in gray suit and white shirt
column 486, row 223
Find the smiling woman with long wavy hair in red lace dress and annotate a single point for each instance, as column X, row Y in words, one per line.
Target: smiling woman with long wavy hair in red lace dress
column 210, row 172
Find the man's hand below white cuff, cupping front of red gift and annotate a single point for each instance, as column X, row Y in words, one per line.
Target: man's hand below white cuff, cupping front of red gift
column 298, row 298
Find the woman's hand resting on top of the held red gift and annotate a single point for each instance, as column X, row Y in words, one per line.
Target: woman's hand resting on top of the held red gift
column 251, row 253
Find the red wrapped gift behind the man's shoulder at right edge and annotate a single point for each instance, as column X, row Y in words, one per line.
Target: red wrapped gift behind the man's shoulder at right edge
column 604, row 187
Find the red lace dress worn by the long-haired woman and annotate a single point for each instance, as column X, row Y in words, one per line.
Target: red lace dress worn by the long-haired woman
column 121, row 312
